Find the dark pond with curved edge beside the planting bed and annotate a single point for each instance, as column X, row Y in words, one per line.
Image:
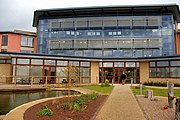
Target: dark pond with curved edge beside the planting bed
column 10, row 100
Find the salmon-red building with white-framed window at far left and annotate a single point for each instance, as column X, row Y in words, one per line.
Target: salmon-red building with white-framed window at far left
column 18, row 41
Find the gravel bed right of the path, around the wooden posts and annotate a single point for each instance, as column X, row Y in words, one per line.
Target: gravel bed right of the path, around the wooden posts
column 153, row 110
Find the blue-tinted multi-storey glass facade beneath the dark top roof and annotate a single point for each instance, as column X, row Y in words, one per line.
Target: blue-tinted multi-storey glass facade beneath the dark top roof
column 115, row 36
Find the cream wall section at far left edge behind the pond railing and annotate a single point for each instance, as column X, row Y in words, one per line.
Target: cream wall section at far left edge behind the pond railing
column 4, row 72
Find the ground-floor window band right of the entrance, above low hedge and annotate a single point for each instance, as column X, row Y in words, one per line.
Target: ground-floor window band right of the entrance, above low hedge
column 164, row 69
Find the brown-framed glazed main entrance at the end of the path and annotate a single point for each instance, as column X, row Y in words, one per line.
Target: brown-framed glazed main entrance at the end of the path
column 114, row 71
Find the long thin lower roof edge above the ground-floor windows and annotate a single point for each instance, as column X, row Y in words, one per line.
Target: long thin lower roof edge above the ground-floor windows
column 9, row 55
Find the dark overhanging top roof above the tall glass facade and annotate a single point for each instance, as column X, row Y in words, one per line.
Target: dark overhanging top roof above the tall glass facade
column 106, row 10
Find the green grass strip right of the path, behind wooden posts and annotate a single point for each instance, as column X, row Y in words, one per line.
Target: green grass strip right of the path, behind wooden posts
column 156, row 91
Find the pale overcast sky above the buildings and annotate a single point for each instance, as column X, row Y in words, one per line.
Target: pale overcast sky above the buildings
column 18, row 14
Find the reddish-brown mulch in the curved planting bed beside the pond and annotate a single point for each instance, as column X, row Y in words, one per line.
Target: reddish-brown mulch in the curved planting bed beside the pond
column 60, row 114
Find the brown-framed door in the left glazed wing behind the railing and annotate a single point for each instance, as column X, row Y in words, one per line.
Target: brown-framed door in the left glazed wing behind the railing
column 51, row 73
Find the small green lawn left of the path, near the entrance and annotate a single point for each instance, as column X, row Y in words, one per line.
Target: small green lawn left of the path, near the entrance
column 98, row 88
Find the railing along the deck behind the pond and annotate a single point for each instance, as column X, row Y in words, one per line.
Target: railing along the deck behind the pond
column 46, row 81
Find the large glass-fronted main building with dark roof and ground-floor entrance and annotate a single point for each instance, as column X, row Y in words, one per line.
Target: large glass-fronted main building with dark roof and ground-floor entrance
column 103, row 43
